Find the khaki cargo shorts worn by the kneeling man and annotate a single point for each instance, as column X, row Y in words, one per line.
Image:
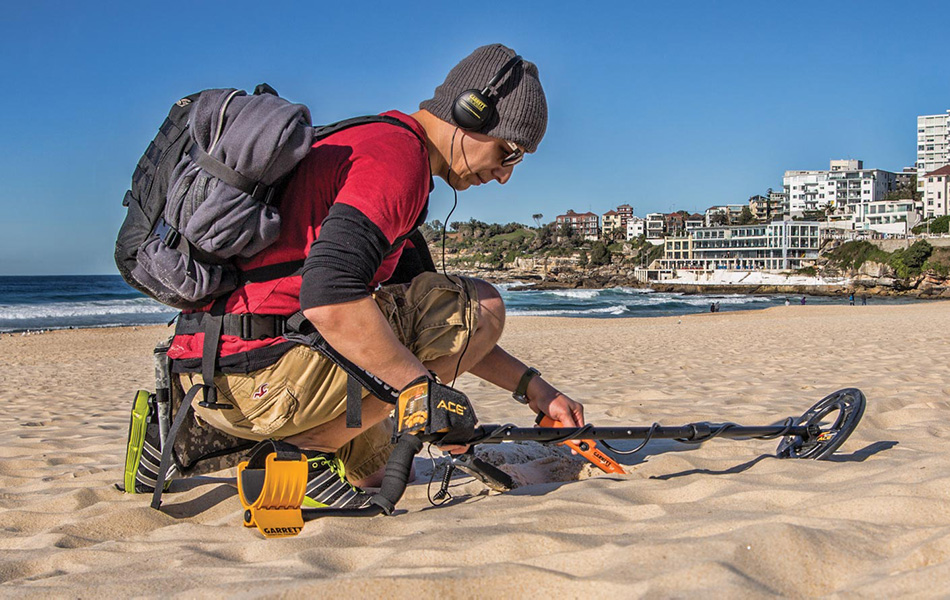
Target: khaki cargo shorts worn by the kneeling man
column 433, row 316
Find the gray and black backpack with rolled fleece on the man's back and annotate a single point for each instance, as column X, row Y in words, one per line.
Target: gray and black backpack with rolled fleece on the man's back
column 205, row 190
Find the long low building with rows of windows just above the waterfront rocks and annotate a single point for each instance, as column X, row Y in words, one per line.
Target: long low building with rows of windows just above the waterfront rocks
column 779, row 245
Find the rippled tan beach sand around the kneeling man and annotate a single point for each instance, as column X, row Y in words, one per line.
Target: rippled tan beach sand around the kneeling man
column 724, row 517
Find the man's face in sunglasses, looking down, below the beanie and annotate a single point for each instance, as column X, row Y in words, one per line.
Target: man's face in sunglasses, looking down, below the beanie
column 478, row 159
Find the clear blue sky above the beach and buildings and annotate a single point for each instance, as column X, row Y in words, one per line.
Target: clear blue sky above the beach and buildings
column 662, row 105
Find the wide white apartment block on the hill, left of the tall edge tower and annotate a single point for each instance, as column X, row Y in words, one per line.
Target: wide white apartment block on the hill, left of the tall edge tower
column 846, row 184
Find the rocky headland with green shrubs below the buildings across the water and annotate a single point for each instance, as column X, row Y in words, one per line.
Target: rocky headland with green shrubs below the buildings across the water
column 522, row 257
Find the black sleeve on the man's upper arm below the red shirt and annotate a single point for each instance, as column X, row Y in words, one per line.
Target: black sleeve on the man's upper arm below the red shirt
column 344, row 258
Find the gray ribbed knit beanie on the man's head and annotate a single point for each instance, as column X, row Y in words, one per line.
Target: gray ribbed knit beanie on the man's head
column 522, row 108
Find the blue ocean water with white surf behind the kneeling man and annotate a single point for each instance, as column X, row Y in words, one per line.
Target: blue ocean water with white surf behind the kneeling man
column 46, row 302
